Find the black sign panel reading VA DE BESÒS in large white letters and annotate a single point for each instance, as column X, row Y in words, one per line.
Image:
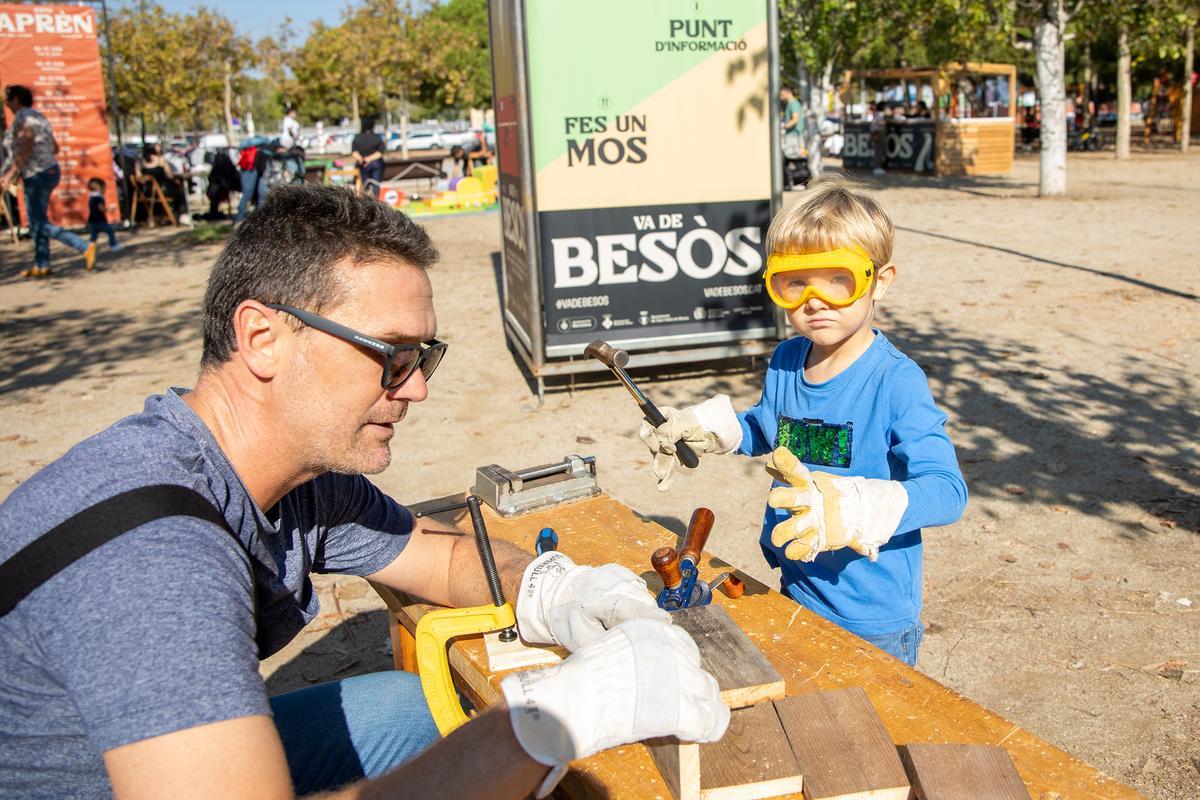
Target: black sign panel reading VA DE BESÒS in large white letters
column 655, row 272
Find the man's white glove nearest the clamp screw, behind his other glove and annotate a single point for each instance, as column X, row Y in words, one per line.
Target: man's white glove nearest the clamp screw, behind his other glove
column 569, row 605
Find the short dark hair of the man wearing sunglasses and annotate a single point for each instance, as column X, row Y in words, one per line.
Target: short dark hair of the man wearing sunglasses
column 287, row 250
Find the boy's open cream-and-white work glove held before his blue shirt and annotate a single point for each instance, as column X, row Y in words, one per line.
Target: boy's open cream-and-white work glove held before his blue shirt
column 829, row 513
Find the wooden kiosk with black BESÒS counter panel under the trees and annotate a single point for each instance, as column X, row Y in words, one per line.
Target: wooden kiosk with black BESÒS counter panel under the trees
column 964, row 137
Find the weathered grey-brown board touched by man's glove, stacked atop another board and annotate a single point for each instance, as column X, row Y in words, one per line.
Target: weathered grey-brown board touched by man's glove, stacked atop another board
column 742, row 671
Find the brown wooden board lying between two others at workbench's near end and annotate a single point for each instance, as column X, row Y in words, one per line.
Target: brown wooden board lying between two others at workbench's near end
column 843, row 748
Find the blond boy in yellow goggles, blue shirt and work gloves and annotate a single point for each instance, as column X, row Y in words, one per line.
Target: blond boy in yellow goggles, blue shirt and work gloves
column 843, row 401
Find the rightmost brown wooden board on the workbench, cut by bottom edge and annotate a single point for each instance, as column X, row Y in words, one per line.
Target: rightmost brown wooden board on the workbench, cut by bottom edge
column 953, row 772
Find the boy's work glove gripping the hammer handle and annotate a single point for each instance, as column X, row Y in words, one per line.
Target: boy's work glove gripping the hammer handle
column 710, row 428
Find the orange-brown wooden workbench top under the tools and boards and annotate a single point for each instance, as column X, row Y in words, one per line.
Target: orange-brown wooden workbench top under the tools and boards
column 811, row 653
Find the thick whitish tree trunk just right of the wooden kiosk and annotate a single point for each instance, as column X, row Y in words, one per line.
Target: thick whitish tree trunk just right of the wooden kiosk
column 1053, row 94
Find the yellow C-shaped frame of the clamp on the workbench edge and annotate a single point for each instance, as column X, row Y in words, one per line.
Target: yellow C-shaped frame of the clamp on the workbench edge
column 434, row 634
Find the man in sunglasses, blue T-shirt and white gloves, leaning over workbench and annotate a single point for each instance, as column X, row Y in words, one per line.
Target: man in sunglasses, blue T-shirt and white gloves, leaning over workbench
column 146, row 573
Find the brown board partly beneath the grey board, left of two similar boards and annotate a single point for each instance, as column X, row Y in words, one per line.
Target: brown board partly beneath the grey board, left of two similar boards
column 752, row 761
